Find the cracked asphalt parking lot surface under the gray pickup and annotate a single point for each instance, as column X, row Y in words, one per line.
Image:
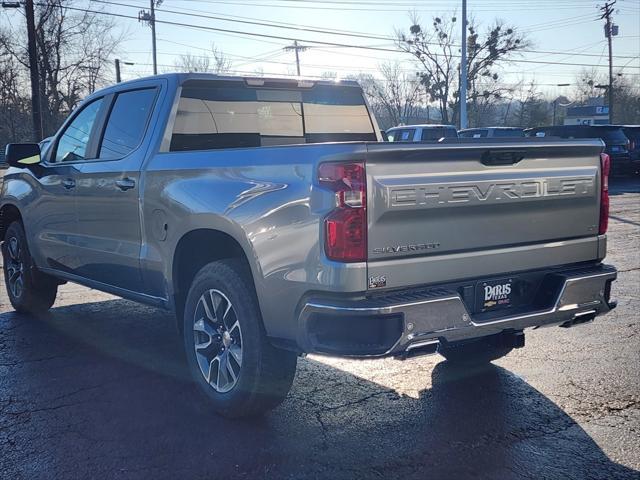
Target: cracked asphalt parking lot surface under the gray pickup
column 96, row 389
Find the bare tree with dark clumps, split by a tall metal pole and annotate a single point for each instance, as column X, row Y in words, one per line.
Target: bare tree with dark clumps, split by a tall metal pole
column 437, row 55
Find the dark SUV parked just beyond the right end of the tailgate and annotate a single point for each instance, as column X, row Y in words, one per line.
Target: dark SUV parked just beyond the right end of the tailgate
column 615, row 141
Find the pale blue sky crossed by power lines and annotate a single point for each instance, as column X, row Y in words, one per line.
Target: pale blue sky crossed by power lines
column 560, row 31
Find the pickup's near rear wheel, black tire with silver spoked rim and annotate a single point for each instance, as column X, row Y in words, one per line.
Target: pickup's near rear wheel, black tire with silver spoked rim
column 265, row 374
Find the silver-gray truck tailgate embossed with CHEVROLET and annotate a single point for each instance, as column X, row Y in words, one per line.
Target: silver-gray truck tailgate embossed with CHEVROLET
column 463, row 210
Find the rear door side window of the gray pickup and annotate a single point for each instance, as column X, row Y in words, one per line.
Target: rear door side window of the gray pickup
column 127, row 123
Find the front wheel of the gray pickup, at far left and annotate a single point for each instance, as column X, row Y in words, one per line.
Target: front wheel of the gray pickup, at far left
column 30, row 291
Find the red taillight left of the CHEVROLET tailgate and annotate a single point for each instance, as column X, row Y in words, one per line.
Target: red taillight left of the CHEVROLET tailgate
column 346, row 225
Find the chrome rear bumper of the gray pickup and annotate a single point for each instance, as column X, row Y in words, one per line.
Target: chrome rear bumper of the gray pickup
column 408, row 322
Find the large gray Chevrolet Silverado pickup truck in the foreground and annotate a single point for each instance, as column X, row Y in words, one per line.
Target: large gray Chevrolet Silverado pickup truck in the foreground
column 270, row 218
